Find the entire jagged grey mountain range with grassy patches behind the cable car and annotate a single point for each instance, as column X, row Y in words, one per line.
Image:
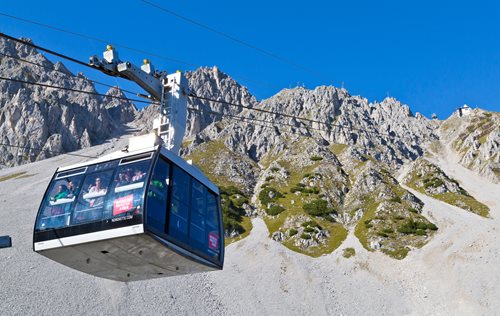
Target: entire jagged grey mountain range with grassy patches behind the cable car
column 315, row 164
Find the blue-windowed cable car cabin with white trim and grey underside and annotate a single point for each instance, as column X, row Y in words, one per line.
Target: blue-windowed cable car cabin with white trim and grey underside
column 137, row 214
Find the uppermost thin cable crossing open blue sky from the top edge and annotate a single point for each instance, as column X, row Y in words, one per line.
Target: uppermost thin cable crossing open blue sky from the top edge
column 232, row 38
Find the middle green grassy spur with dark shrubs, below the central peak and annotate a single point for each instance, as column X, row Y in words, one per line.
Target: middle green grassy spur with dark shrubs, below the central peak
column 285, row 194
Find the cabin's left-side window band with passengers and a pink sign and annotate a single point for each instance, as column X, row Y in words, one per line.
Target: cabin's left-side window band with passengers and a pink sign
column 93, row 193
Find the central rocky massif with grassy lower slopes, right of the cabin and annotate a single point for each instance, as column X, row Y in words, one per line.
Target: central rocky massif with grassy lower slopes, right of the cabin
column 332, row 169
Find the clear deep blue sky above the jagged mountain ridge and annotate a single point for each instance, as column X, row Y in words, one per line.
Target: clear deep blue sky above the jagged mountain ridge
column 432, row 55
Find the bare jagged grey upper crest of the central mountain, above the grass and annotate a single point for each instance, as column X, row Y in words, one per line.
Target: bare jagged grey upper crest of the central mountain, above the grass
column 386, row 131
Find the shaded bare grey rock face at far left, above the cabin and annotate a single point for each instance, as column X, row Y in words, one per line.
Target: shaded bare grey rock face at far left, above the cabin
column 47, row 121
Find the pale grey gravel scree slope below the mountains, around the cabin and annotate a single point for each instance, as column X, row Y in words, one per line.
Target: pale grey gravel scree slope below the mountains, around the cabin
column 457, row 272
